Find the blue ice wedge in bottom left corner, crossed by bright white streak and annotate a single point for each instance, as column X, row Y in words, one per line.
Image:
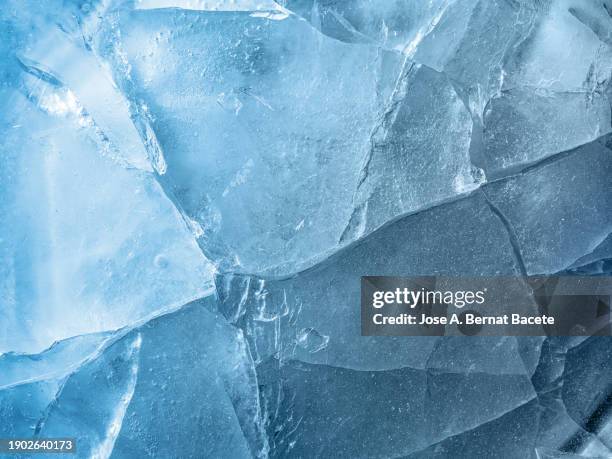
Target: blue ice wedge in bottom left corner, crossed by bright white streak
column 187, row 373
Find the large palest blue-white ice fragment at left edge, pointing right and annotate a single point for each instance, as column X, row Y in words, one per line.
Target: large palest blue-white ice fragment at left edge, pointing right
column 87, row 244
